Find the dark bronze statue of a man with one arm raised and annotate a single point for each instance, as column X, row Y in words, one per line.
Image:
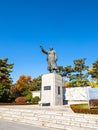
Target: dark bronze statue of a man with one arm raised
column 51, row 59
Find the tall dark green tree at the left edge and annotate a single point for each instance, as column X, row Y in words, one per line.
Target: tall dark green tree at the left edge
column 5, row 79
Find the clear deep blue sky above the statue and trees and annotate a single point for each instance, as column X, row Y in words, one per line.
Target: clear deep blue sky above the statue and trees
column 69, row 26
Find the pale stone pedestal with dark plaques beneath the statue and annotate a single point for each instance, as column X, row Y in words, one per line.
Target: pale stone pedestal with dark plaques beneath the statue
column 51, row 93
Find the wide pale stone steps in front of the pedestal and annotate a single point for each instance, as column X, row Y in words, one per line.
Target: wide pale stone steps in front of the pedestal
column 61, row 118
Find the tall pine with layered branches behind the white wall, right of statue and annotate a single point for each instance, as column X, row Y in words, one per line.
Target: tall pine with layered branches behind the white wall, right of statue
column 79, row 76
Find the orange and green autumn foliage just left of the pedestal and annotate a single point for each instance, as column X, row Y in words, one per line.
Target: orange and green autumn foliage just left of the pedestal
column 25, row 85
